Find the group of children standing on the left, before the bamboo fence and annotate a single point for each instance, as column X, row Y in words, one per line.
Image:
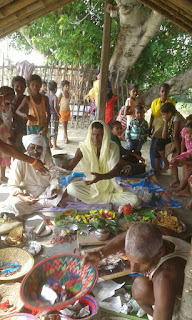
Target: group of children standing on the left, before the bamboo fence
column 36, row 113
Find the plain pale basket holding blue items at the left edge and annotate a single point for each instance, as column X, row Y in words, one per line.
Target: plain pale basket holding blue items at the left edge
column 15, row 263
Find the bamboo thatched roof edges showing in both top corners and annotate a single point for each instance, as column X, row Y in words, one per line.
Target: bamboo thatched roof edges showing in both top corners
column 16, row 13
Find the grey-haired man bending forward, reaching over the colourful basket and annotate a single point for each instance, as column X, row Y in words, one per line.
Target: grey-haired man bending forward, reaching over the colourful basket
column 163, row 260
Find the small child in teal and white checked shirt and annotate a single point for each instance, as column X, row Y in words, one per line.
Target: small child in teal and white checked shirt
column 137, row 131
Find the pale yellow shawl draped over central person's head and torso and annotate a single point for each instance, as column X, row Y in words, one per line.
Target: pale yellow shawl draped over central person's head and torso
column 91, row 163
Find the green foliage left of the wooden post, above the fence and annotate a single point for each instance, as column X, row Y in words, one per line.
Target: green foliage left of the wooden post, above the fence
column 72, row 34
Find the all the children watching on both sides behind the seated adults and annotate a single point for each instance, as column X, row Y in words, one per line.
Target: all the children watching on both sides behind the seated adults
column 41, row 111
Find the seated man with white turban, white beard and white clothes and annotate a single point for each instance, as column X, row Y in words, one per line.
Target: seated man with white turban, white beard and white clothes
column 29, row 189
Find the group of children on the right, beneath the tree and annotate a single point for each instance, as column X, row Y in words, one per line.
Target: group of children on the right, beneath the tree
column 170, row 133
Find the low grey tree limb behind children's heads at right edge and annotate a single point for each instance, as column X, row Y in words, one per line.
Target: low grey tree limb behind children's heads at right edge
column 178, row 84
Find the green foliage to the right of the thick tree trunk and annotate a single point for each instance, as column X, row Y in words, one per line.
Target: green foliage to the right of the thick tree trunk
column 168, row 54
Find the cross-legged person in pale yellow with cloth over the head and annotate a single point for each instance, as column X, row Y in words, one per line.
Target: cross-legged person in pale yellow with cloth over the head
column 99, row 158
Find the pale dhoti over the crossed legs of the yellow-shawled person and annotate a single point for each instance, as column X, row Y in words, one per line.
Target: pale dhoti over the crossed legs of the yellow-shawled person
column 83, row 192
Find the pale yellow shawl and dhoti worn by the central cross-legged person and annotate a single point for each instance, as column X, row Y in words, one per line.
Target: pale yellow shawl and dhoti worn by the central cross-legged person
column 104, row 191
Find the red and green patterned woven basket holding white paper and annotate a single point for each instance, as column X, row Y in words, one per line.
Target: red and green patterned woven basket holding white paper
column 56, row 282
